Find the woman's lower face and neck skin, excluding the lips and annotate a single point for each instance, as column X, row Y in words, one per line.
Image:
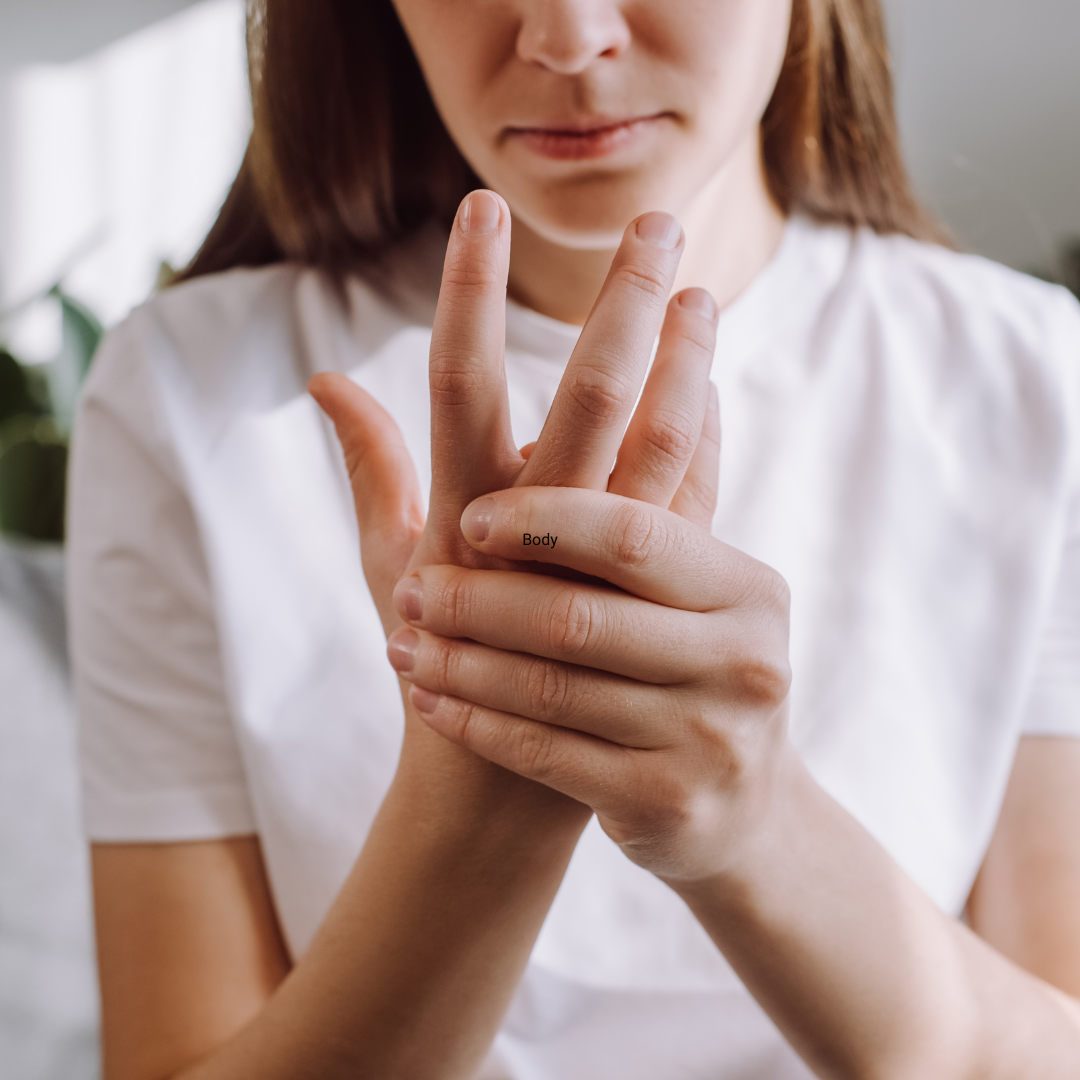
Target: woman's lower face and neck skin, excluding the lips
column 495, row 66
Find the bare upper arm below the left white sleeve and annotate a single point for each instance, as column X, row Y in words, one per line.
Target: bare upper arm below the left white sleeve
column 190, row 950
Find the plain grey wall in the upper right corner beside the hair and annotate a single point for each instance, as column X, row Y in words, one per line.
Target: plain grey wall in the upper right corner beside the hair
column 990, row 105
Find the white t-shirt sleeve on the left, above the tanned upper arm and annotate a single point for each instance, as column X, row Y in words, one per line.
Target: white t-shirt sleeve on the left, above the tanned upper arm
column 158, row 750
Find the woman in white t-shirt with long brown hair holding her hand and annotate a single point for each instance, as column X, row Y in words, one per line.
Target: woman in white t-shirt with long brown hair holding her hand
column 288, row 882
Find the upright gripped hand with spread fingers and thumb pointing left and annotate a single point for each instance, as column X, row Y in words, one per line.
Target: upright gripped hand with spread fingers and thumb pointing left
column 668, row 457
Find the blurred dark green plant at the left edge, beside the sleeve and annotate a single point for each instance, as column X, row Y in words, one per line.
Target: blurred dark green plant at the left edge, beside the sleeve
column 37, row 408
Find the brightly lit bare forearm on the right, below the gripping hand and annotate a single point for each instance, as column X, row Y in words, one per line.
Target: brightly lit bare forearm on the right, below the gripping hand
column 863, row 975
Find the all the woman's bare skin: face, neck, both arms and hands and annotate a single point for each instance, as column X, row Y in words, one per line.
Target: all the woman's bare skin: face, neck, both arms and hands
column 861, row 974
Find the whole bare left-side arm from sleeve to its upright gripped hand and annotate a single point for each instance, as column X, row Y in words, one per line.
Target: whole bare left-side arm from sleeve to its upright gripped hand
column 415, row 965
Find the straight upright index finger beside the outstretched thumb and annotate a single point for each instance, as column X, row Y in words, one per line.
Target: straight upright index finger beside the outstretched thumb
column 472, row 449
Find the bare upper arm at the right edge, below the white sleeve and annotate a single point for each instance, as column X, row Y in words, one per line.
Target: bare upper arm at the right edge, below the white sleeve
column 1027, row 900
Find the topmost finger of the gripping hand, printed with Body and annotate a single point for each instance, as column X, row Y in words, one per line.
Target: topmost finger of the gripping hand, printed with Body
column 643, row 550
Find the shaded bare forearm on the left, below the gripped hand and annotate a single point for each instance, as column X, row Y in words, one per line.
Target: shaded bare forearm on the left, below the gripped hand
column 417, row 961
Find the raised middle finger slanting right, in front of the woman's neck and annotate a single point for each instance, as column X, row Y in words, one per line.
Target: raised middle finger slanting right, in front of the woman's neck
column 585, row 427
